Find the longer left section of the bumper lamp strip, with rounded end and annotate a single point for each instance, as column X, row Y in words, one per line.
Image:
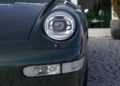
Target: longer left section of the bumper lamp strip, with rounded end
column 33, row 71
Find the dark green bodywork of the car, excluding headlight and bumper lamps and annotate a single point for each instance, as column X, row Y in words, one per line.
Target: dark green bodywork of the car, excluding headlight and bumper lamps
column 24, row 43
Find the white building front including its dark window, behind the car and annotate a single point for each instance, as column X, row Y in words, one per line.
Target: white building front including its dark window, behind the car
column 99, row 14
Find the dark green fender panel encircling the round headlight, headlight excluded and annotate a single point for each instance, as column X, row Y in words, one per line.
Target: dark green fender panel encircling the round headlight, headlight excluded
column 39, row 40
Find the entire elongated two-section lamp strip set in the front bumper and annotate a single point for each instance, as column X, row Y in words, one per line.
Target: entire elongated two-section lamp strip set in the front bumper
column 43, row 70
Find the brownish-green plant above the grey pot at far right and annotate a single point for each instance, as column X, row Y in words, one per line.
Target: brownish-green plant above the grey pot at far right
column 116, row 7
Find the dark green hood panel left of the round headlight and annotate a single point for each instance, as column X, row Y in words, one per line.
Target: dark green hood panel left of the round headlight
column 17, row 20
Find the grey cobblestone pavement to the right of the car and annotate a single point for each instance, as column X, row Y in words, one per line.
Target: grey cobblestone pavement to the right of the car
column 104, row 62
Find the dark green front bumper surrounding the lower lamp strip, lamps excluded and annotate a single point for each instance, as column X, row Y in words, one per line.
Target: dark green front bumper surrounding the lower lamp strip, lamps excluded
column 14, row 59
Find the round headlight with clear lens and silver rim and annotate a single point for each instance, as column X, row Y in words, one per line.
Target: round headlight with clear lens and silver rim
column 59, row 25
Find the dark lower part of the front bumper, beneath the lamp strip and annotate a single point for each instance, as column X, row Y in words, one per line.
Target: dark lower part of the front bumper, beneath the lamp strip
column 13, row 76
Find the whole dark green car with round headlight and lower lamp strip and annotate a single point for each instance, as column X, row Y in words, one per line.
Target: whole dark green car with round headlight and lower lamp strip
column 42, row 43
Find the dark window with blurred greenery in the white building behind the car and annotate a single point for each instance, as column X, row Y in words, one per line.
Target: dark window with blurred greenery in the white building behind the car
column 98, row 12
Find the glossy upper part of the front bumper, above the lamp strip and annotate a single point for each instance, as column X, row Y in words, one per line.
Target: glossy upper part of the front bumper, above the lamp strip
column 18, row 53
